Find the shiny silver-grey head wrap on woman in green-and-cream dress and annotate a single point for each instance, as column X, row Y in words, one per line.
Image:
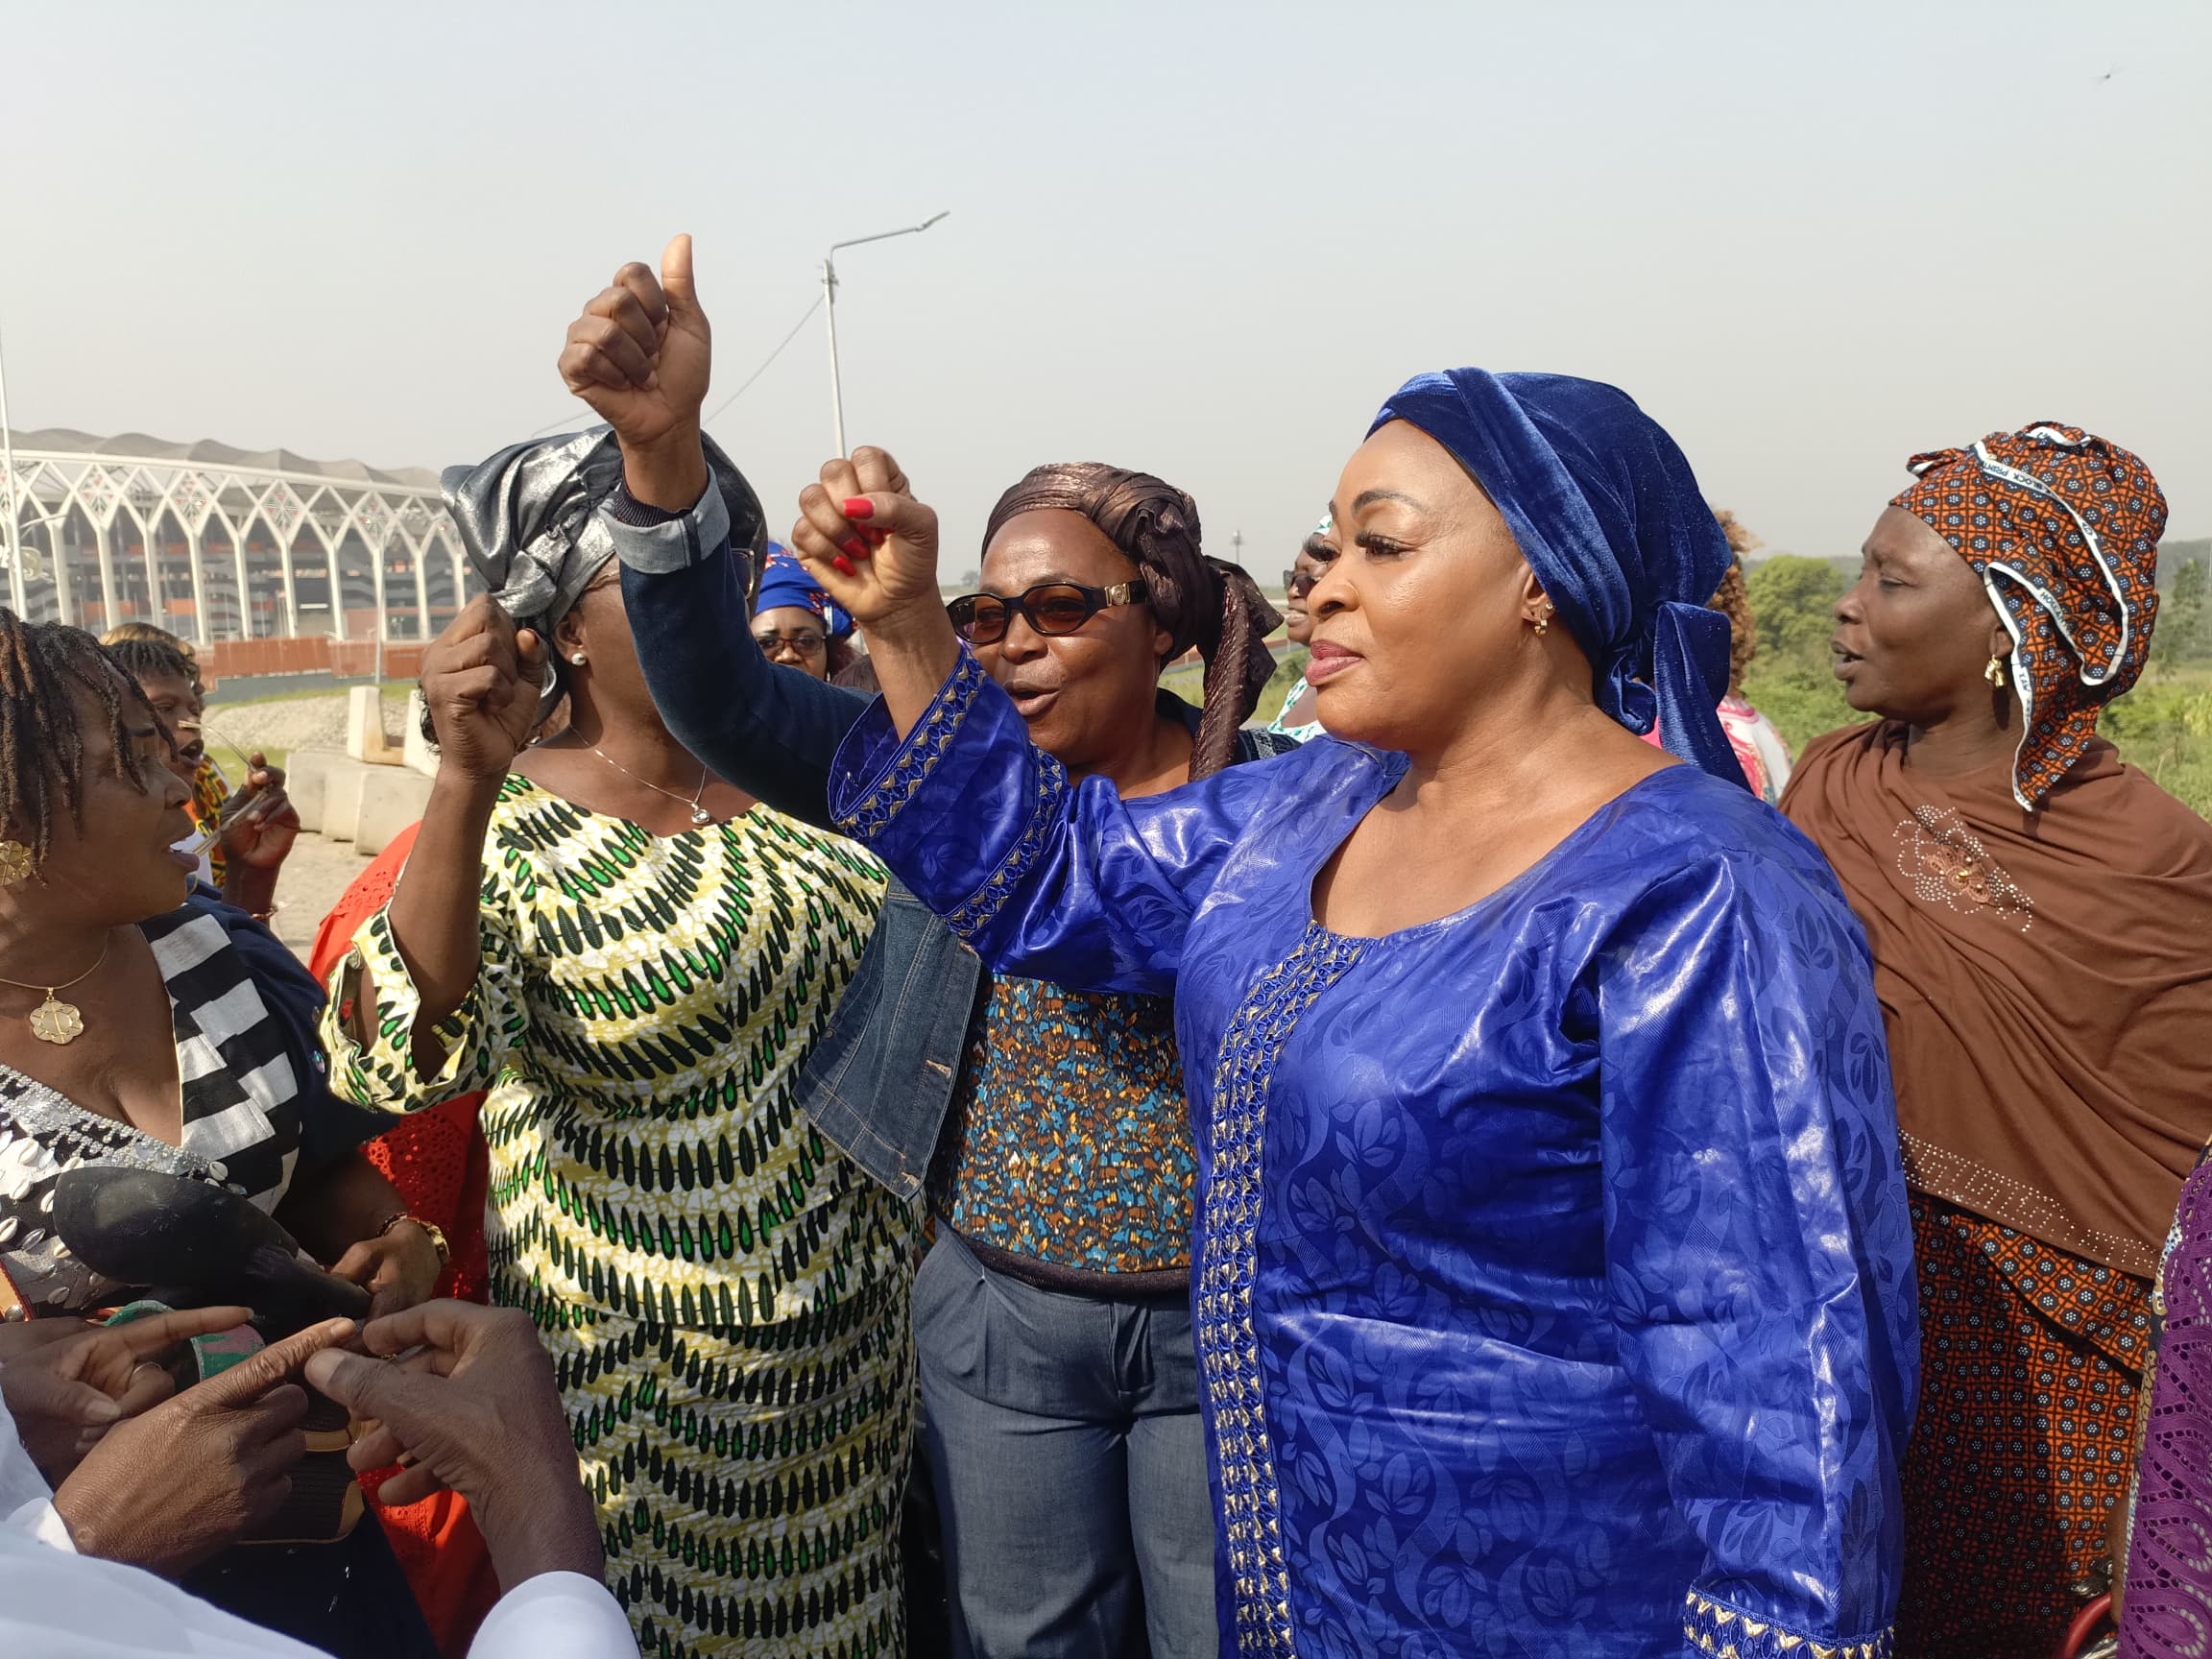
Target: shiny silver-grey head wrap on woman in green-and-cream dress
column 530, row 519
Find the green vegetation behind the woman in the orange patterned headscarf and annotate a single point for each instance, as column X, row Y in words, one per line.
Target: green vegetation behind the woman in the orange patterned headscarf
column 2162, row 727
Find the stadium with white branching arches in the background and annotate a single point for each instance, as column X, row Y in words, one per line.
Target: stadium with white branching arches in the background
column 264, row 561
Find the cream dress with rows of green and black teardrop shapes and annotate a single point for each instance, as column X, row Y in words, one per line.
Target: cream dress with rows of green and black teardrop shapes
column 724, row 1295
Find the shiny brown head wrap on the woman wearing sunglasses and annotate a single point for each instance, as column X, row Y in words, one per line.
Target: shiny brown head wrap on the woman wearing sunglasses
column 1198, row 601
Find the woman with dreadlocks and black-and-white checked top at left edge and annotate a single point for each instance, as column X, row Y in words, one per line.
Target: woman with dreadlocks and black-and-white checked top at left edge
column 147, row 1025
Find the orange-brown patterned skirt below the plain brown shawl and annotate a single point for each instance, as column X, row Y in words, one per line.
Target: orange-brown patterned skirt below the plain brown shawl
column 2030, row 1373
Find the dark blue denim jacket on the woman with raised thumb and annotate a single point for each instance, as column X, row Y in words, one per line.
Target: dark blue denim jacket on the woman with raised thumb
column 881, row 1081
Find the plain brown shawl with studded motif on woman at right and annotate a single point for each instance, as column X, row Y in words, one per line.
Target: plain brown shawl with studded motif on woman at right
column 2045, row 979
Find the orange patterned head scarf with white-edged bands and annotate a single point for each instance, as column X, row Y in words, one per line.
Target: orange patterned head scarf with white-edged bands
column 2065, row 534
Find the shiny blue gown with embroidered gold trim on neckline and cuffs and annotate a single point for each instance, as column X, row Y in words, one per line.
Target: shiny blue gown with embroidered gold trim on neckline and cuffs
column 1554, row 1271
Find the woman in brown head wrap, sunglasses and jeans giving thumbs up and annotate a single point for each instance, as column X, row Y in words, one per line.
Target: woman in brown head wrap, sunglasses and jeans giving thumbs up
column 1045, row 1127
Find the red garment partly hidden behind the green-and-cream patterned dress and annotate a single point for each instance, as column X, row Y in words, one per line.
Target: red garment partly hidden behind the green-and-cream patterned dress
column 439, row 1165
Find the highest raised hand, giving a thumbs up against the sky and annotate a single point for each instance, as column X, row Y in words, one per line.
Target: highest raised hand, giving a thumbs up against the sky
column 643, row 355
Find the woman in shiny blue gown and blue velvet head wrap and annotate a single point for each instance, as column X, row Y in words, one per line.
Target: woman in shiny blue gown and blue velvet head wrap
column 1554, row 1273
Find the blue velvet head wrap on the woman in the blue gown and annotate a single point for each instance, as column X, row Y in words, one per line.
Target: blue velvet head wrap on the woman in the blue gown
column 1607, row 514
